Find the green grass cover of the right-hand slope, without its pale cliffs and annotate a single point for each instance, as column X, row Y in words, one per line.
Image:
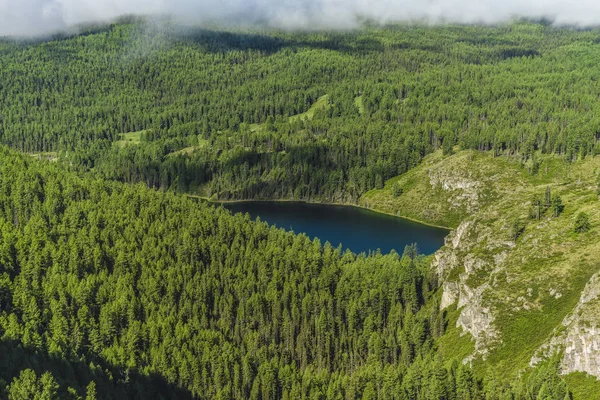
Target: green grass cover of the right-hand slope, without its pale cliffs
column 492, row 192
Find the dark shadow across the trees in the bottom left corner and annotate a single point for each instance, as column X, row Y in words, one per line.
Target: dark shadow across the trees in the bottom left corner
column 78, row 374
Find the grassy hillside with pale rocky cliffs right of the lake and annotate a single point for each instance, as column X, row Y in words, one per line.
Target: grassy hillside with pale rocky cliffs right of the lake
column 526, row 289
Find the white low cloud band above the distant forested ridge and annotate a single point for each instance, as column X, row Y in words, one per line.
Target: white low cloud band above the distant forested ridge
column 38, row 17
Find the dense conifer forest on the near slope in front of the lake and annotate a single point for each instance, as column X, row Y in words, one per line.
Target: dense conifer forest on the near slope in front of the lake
column 118, row 291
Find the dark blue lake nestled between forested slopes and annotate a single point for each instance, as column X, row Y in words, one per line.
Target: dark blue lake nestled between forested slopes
column 355, row 228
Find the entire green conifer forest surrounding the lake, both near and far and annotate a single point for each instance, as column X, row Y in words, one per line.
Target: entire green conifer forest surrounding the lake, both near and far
column 113, row 285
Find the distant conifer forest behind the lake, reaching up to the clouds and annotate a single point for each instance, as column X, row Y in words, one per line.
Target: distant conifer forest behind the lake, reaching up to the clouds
column 226, row 97
